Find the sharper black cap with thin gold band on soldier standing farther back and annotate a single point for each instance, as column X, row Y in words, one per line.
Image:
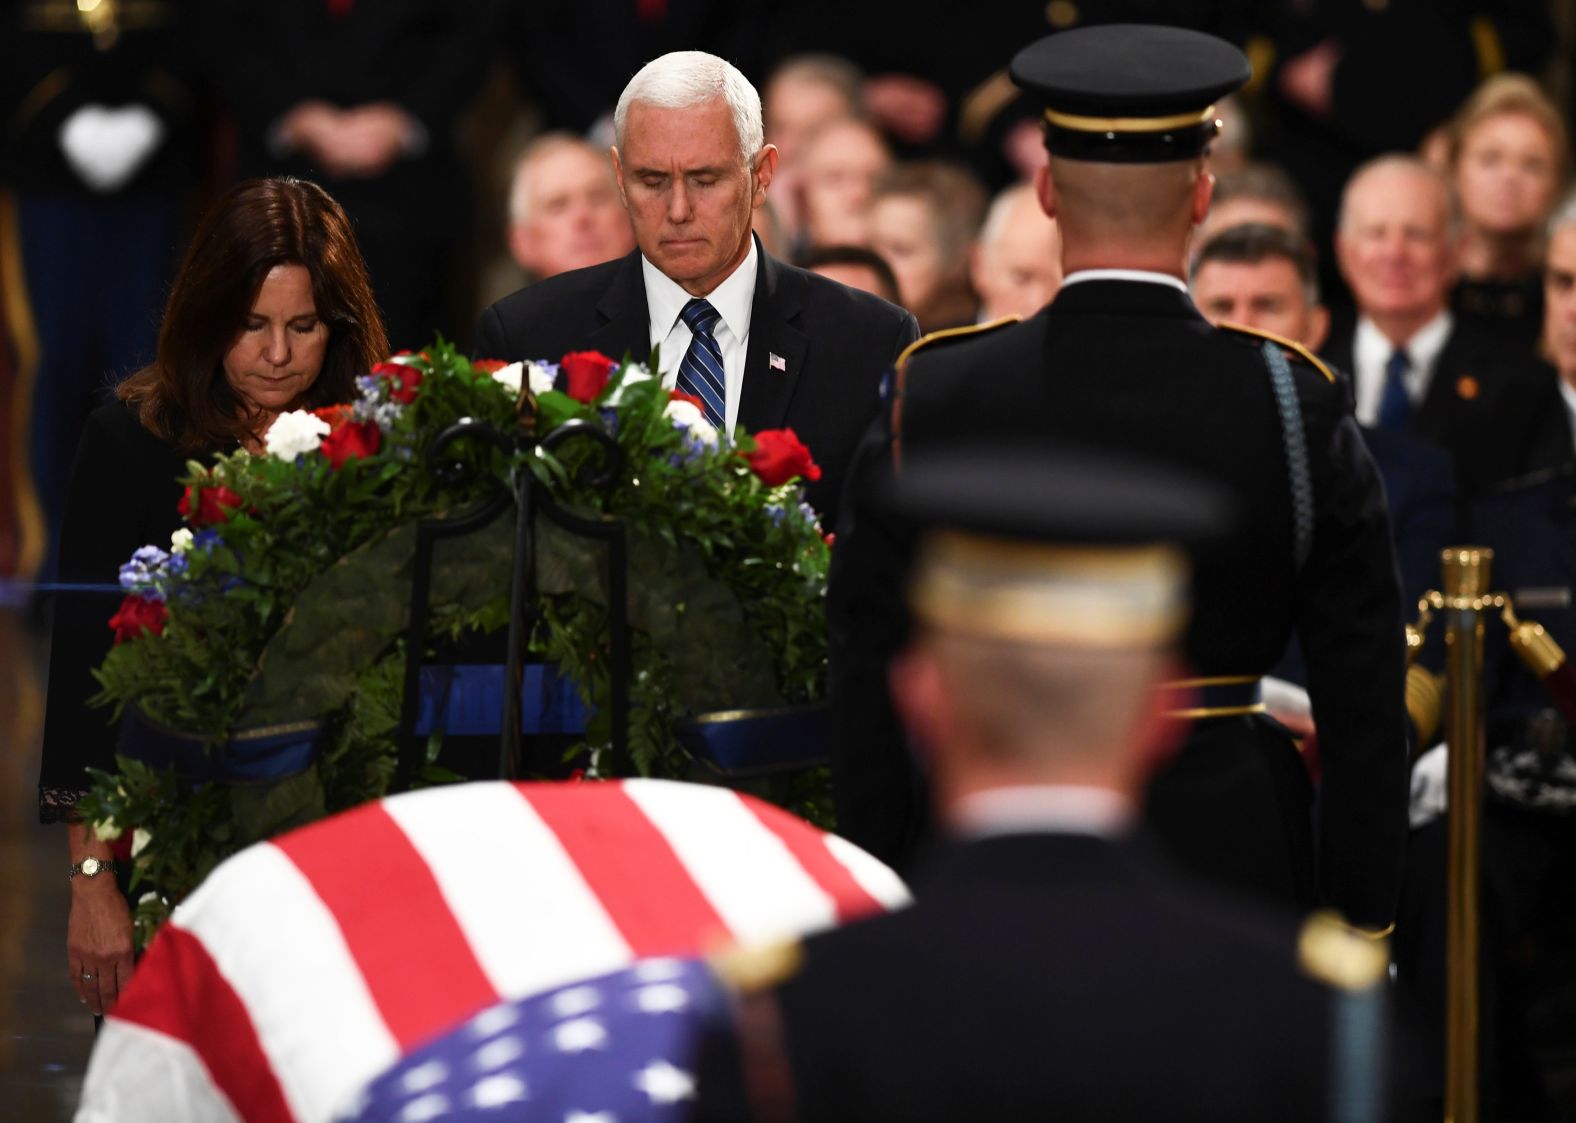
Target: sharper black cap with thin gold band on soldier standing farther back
column 1131, row 94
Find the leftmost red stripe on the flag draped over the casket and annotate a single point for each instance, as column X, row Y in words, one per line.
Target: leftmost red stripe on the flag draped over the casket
column 180, row 993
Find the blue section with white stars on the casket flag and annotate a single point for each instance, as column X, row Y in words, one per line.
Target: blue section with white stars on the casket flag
column 614, row 1050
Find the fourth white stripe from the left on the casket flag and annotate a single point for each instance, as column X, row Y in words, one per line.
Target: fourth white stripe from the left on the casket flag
column 753, row 881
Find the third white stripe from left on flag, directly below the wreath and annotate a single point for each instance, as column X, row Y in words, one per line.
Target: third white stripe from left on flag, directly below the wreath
column 515, row 891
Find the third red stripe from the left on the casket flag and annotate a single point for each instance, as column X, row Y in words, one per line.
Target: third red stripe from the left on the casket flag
column 631, row 867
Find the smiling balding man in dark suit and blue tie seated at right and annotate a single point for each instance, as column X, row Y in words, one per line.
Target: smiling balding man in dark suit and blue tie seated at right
column 1414, row 368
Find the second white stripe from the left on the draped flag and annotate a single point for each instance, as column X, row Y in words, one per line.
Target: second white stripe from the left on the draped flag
column 283, row 952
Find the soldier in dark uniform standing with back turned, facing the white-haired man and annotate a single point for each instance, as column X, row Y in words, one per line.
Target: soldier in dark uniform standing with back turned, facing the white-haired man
column 1123, row 361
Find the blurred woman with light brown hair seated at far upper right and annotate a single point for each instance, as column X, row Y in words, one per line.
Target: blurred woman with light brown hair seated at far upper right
column 1509, row 157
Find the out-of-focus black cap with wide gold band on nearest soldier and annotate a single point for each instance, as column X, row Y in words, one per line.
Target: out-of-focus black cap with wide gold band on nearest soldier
column 1054, row 549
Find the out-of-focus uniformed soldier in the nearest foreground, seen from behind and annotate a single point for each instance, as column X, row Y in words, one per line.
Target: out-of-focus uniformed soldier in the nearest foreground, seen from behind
column 1052, row 966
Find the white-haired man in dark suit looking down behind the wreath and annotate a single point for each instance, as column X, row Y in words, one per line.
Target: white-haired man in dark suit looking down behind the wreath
column 764, row 344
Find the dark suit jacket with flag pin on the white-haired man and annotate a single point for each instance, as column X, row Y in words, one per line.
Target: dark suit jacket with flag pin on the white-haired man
column 836, row 343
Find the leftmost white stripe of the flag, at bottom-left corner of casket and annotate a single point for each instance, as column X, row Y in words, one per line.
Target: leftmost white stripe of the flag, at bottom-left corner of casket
column 143, row 1077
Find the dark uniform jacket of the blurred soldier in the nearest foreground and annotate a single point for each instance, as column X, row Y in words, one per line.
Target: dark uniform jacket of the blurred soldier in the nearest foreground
column 1057, row 977
